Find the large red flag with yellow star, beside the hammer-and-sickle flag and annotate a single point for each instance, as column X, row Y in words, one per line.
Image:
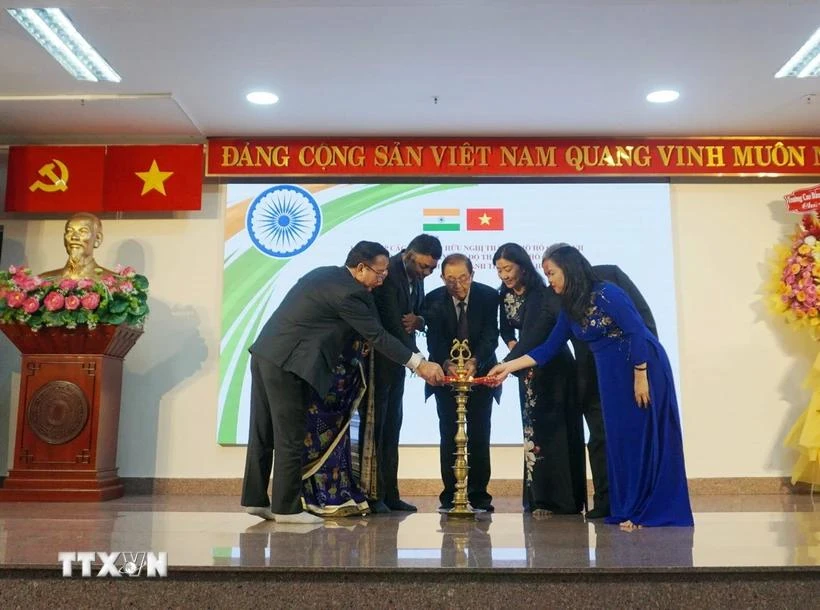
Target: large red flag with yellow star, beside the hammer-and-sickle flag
column 152, row 178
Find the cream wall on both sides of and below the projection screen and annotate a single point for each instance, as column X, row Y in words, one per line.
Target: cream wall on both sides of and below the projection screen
column 741, row 371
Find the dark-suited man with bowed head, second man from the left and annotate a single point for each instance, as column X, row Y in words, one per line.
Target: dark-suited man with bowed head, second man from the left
column 399, row 301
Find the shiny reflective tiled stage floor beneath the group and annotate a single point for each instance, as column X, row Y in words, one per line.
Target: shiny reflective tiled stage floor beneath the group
column 208, row 532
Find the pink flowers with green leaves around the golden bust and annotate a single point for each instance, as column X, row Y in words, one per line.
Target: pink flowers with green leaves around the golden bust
column 119, row 298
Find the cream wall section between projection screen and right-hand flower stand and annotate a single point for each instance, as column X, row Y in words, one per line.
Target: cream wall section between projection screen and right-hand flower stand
column 742, row 370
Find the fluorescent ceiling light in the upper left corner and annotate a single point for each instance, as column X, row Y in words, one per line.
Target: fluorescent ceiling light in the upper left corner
column 57, row 35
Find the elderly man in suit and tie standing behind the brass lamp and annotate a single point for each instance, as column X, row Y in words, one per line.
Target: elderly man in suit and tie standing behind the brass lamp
column 463, row 309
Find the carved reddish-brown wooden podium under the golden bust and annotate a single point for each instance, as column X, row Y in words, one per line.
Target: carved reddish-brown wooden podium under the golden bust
column 68, row 413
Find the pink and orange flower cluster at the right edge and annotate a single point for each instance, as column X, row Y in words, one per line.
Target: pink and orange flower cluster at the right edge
column 795, row 282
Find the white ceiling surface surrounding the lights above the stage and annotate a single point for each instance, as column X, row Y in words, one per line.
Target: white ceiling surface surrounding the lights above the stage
column 359, row 67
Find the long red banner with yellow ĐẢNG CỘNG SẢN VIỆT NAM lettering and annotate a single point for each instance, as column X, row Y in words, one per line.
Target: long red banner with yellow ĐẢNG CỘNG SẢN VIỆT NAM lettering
column 495, row 157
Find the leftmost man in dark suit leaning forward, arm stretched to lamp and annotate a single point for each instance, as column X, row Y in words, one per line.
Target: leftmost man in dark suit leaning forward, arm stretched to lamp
column 294, row 355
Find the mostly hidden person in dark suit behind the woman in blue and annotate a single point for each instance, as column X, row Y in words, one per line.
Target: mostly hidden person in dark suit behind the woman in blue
column 587, row 376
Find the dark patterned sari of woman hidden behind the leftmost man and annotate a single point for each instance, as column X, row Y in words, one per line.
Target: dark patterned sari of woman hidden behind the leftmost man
column 329, row 487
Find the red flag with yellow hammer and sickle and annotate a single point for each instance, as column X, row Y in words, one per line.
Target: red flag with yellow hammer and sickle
column 51, row 179
